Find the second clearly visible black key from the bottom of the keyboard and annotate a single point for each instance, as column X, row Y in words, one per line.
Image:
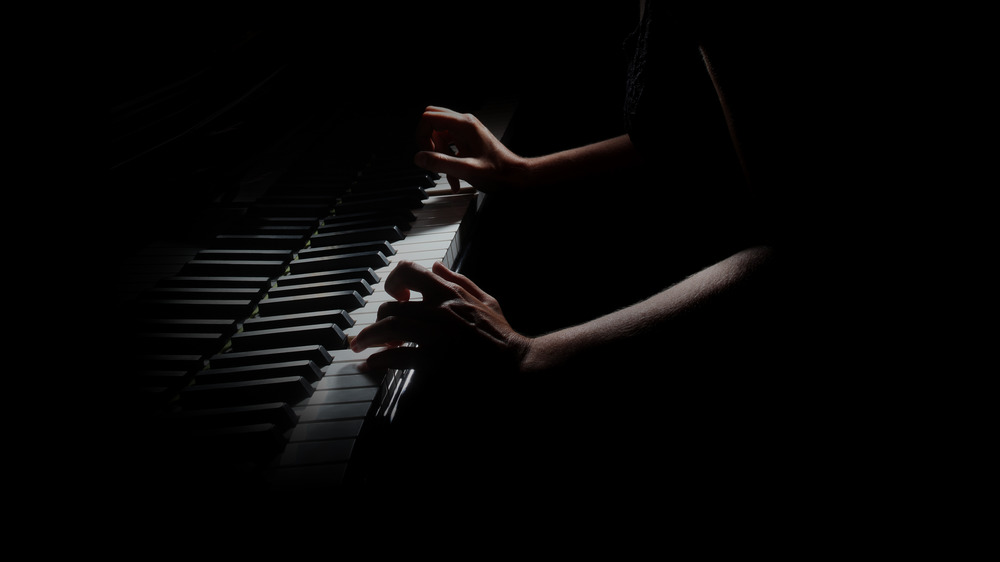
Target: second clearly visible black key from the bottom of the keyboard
column 258, row 391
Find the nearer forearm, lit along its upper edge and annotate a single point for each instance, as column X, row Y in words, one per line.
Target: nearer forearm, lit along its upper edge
column 714, row 297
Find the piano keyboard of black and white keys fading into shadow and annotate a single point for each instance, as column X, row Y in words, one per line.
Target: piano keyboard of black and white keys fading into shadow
column 244, row 351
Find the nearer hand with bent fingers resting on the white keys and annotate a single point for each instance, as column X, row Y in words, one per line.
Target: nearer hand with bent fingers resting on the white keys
column 456, row 323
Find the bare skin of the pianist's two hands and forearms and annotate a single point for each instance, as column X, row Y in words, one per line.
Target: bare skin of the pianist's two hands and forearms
column 456, row 318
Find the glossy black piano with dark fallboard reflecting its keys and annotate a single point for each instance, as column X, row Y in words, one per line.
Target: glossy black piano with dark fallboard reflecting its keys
column 255, row 247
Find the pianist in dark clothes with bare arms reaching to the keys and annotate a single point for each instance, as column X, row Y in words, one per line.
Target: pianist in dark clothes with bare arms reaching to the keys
column 711, row 306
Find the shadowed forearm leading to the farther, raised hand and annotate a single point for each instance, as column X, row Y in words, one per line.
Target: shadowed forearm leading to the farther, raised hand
column 578, row 163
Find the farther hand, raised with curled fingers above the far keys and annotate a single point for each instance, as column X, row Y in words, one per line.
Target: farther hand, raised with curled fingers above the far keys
column 461, row 147
